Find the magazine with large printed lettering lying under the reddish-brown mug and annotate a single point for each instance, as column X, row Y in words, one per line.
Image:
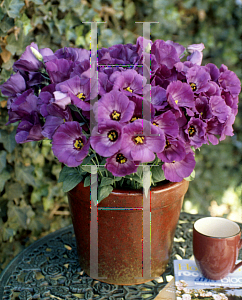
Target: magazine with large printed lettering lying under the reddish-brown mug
column 191, row 285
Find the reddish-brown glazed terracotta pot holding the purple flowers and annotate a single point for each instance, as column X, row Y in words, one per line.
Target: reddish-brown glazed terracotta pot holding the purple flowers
column 120, row 231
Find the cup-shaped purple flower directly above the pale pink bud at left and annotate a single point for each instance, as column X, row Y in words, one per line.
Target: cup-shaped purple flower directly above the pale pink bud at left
column 59, row 69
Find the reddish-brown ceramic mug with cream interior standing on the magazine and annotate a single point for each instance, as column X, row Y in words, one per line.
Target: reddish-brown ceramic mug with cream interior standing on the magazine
column 216, row 244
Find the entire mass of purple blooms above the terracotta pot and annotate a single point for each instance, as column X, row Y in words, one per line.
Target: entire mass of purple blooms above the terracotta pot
column 53, row 95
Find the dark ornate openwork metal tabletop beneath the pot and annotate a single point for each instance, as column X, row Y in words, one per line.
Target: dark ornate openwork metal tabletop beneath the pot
column 49, row 269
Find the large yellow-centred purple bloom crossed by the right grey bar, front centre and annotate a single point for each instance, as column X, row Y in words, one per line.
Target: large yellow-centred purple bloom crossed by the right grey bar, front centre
column 138, row 147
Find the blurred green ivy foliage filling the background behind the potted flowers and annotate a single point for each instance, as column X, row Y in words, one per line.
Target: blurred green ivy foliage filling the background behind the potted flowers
column 32, row 202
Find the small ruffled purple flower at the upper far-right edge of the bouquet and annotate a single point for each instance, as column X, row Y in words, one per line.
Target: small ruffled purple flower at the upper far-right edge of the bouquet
column 230, row 83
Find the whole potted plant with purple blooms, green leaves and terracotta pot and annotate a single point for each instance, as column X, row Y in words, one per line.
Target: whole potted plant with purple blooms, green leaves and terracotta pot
column 131, row 137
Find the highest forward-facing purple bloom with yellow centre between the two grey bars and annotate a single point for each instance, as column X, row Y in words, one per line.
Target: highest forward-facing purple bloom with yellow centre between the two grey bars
column 128, row 81
